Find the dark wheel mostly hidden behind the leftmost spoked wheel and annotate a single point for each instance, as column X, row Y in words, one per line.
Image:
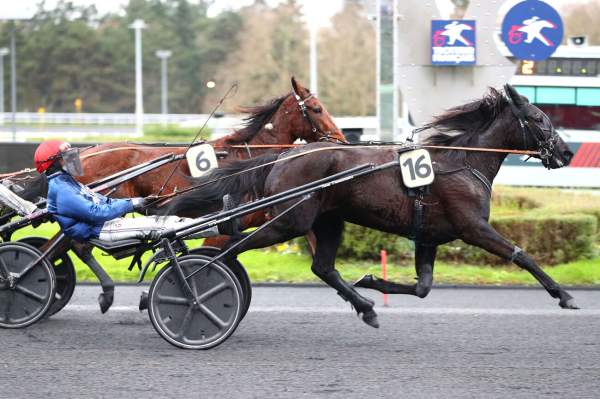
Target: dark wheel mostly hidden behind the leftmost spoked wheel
column 65, row 275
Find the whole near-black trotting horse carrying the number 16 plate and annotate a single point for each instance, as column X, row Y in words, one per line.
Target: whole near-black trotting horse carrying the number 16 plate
column 457, row 206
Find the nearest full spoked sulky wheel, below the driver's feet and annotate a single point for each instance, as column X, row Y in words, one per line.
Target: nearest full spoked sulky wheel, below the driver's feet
column 204, row 321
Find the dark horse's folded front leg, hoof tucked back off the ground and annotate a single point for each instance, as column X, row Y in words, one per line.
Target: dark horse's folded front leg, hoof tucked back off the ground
column 424, row 260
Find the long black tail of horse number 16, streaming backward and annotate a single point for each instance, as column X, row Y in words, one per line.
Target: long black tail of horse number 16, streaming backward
column 239, row 179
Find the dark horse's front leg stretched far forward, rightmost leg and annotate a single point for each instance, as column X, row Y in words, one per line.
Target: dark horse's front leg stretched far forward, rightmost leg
column 484, row 236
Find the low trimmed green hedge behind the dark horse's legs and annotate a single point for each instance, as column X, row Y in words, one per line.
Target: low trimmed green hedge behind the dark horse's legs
column 550, row 240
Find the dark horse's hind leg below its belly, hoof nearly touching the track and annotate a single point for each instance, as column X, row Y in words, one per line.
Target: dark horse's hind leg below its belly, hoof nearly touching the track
column 328, row 232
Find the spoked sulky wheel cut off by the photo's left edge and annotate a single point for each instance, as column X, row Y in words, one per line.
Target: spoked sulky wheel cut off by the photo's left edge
column 24, row 299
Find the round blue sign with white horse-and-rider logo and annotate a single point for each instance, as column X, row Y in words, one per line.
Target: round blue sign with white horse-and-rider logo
column 532, row 30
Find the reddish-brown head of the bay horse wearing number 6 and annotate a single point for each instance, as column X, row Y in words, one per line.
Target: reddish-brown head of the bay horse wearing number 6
column 306, row 117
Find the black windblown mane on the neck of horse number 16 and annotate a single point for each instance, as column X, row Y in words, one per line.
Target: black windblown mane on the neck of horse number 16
column 461, row 125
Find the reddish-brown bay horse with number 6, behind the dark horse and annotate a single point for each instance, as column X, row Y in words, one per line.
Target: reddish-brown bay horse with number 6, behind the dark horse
column 297, row 115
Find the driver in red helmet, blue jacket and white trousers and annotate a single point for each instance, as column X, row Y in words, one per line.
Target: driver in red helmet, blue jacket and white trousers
column 83, row 214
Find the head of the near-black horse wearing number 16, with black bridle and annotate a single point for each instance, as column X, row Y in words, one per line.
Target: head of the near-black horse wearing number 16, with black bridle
column 537, row 132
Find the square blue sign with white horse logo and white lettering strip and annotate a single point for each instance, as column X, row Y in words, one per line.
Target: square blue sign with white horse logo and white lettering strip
column 452, row 42
